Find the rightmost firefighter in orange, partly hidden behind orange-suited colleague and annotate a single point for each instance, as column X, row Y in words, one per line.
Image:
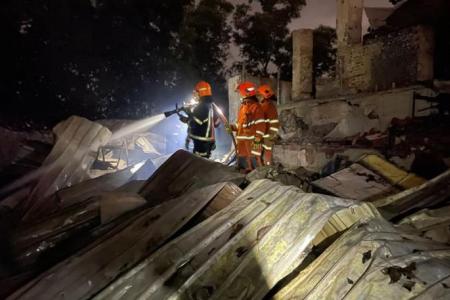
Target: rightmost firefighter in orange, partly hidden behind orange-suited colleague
column 268, row 105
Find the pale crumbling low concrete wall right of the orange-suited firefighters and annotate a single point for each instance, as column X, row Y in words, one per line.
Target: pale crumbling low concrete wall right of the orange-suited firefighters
column 307, row 126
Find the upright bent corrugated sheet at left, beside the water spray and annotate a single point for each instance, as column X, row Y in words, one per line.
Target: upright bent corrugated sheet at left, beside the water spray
column 77, row 142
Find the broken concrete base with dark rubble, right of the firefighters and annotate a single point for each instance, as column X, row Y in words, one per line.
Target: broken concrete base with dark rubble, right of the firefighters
column 315, row 133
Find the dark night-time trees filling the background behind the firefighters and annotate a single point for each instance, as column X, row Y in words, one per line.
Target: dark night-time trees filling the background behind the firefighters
column 124, row 58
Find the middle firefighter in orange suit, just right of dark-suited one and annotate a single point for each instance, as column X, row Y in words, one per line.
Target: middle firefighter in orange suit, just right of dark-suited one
column 249, row 129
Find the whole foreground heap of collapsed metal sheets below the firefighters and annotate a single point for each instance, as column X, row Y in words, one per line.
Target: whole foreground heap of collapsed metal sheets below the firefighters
column 196, row 229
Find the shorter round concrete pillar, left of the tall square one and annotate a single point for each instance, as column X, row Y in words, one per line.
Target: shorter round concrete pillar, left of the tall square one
column 302, row 64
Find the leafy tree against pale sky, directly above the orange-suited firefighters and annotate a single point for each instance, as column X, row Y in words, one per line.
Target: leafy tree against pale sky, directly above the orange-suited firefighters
column 263, row 36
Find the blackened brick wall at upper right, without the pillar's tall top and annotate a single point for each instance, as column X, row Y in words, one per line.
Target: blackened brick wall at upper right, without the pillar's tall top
column 397, row 59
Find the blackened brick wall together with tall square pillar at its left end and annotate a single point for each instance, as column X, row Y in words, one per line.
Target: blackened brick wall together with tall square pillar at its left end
column 382, row 61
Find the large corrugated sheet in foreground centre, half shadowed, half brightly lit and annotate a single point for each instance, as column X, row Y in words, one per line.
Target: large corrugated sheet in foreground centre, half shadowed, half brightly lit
column 244, row 250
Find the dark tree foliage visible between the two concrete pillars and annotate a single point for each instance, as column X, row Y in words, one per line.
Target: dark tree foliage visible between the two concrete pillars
column 324, row 51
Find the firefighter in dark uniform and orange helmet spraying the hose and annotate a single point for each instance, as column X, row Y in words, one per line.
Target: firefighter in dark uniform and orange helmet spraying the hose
column 202, row 121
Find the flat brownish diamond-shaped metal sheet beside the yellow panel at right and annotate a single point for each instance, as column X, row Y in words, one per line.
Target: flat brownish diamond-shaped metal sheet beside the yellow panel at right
column 356, row 182
